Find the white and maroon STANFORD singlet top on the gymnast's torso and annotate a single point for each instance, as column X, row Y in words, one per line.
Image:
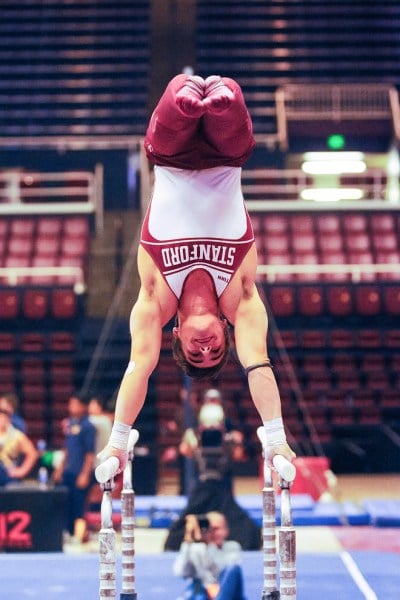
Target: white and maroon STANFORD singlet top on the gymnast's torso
column 197, row 220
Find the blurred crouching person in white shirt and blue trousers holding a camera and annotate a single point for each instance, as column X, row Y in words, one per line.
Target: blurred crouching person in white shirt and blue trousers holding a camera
column 210, row 561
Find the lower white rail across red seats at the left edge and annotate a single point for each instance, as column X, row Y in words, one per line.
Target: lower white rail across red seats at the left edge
column 13, row 276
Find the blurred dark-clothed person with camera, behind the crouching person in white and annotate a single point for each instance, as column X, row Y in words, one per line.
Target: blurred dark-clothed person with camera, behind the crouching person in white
column 213, row 449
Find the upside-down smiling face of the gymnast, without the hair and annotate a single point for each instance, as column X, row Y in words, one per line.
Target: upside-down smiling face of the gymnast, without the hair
column 202, row 338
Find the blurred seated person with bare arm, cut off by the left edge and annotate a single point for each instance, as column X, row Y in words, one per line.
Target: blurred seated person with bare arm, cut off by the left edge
column 18, row 455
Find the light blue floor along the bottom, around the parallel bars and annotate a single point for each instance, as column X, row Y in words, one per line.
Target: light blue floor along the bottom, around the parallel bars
column 69, row 577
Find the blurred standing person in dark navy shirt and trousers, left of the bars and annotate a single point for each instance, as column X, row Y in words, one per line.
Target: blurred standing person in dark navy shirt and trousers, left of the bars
column 76, row 469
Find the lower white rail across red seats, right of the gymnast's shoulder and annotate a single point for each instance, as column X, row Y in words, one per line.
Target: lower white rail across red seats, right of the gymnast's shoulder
column 356, row 271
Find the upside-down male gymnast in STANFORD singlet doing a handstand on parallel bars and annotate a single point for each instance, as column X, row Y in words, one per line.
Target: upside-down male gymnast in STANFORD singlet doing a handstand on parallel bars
column 197, row 257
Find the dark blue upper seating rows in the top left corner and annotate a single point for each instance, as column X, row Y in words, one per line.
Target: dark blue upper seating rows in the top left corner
column 90, row 78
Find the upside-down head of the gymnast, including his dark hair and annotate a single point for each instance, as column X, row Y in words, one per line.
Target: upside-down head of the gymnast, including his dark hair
column 201, row 345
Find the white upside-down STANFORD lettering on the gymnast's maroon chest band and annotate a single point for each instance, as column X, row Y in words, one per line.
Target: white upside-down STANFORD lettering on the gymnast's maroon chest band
column 217, row 254
